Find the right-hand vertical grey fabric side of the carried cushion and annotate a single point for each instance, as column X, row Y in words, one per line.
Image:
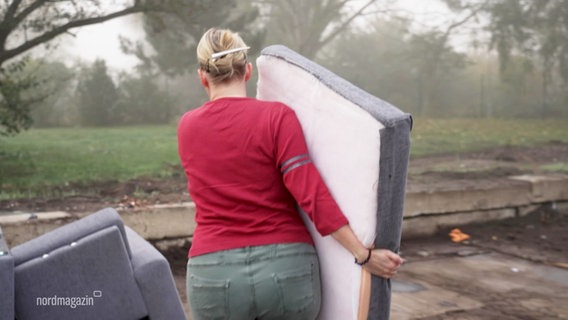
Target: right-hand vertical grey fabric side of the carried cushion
column 395, row 150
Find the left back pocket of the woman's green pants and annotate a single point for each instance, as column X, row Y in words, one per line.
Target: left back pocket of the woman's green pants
column 209, row 299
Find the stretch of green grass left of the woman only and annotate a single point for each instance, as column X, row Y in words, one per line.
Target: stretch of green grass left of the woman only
column 43, row 158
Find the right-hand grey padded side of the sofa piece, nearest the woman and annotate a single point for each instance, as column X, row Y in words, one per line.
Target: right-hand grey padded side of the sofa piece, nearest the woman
column 154, row 277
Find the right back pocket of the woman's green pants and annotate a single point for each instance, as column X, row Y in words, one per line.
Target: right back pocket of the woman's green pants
column 296, row 288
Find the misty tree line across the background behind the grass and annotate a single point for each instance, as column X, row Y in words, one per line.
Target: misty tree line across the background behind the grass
column 514, row 63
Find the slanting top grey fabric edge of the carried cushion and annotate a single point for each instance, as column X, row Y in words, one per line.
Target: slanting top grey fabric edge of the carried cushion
column 381, row 110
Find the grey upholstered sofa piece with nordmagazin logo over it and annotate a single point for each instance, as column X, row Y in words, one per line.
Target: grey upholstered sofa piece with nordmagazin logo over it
column 100, row 261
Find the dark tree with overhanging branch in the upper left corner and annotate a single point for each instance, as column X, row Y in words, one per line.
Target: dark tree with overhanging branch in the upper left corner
column 27, row 24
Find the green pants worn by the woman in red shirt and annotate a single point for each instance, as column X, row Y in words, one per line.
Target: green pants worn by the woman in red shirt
column 280, row 281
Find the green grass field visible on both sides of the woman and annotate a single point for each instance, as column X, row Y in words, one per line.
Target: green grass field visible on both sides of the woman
column 40, row 159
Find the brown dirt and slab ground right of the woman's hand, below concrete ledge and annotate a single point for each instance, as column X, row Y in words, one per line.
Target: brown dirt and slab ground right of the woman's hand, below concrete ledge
column 539, row 238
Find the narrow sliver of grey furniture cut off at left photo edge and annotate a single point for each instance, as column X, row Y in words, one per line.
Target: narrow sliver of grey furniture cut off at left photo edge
column 6, row 281
